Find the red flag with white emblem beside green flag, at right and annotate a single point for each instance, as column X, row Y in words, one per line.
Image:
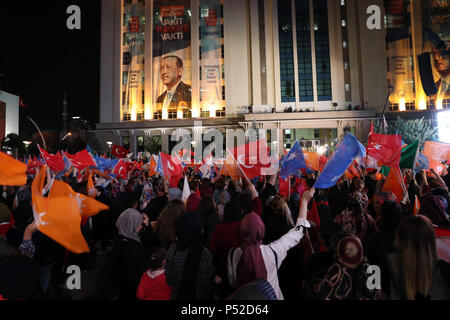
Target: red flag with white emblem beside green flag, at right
column 385, row 148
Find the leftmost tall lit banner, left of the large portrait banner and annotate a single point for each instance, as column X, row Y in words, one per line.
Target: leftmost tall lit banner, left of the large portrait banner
column 133, row 76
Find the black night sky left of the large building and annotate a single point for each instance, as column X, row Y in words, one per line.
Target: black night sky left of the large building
column 41, row 58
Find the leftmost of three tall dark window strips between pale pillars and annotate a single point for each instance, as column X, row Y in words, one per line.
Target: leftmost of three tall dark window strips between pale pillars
column 286, row 51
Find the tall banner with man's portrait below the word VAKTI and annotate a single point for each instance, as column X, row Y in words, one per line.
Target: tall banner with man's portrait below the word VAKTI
column 172, row 76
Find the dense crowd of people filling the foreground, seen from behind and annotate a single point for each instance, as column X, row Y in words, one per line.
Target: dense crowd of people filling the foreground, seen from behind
column 235, row 239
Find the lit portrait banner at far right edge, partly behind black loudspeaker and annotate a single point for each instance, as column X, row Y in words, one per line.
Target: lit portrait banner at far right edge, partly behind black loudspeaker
column 435, row 59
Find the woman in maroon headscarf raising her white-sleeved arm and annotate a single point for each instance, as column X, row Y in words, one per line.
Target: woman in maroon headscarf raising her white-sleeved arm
column 252, row 260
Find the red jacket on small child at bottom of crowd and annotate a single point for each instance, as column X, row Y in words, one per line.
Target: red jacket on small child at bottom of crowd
column 153, row 288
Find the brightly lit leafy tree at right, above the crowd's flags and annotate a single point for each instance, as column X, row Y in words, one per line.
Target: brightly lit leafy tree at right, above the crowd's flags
column 412, row 130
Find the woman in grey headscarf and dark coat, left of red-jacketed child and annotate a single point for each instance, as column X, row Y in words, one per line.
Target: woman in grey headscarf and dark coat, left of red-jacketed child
column 129, row 256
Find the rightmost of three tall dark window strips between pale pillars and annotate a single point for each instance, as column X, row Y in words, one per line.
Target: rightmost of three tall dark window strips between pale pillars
column 322, row 51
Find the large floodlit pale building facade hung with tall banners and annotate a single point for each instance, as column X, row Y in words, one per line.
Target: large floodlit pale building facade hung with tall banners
column 301, row 69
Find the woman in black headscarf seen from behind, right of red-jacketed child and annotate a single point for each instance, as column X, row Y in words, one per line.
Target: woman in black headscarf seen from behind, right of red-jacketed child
column 189, row 265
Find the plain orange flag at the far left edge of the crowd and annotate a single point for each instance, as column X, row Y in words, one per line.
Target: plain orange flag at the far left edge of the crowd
column 12, row 172
